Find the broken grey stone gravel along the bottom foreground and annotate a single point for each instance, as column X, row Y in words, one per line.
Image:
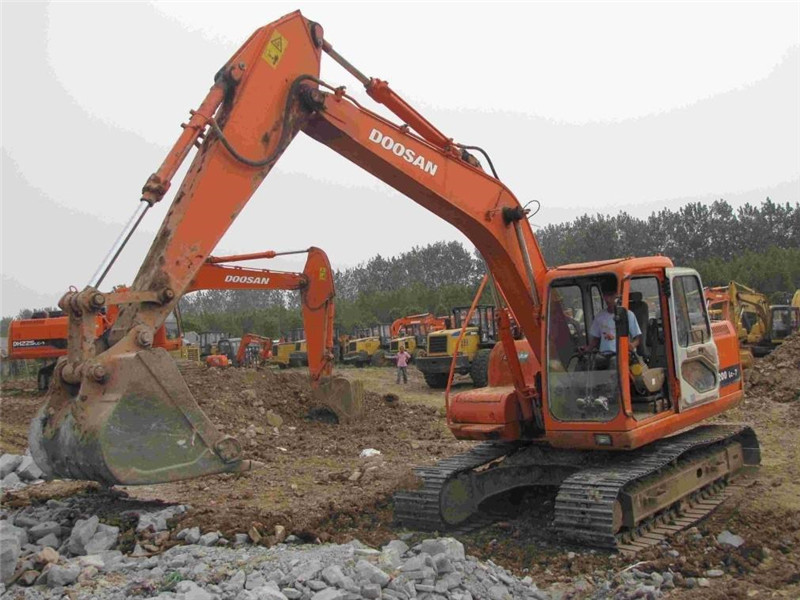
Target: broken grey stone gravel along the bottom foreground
column 62, row 548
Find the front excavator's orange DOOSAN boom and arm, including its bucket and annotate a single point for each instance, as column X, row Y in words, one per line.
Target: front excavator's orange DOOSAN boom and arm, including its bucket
column 267, row 92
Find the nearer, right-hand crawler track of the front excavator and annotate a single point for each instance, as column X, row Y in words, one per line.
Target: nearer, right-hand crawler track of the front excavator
column 587, row 501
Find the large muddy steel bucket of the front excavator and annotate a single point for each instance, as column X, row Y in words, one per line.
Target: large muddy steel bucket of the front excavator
column 133, row 422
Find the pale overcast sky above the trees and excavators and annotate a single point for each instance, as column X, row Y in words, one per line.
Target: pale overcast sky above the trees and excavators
column 585, row 107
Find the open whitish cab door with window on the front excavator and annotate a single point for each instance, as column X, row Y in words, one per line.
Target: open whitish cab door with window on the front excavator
column 694, row 350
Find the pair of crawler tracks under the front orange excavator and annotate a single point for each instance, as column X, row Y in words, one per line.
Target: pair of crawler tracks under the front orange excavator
column 594, row 486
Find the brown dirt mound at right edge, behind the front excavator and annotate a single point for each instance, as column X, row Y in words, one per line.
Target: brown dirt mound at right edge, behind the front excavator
column 777, row 376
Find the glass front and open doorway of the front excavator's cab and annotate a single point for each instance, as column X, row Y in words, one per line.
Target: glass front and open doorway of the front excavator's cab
column 585, row 358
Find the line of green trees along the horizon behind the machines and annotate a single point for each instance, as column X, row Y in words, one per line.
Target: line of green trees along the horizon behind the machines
column 756, row 245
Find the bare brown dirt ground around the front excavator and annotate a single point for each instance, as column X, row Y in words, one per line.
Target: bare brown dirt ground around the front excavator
column 315, row 483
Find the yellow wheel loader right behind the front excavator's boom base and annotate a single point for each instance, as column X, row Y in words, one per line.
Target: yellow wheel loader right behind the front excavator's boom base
column 473, row 354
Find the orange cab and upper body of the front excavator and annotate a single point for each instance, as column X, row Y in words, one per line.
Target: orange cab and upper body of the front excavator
column 656, row 361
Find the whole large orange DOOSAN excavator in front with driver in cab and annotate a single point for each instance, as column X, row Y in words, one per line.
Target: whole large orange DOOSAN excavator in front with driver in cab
column 610, row 412
